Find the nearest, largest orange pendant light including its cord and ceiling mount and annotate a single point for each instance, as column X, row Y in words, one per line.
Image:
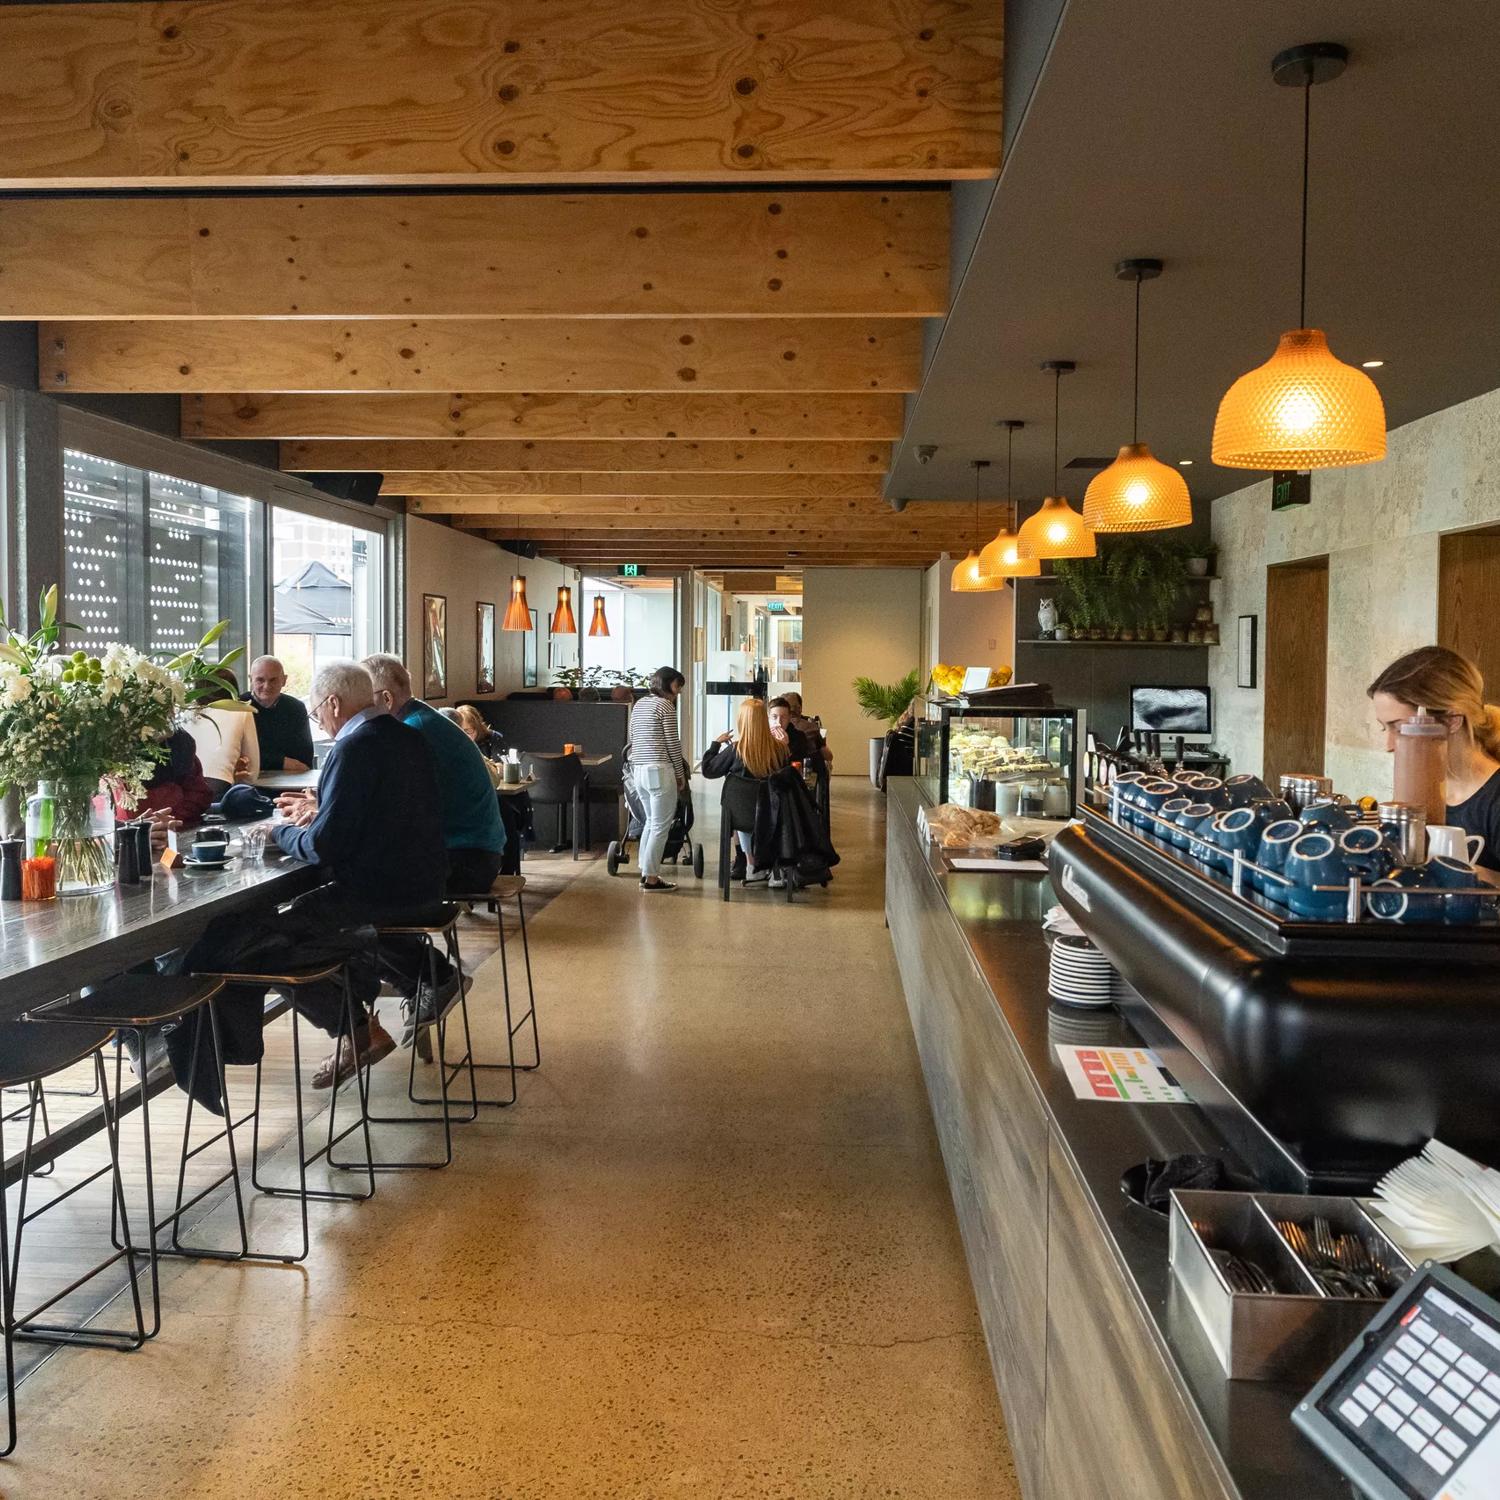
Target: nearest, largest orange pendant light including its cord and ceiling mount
column 1303, row 409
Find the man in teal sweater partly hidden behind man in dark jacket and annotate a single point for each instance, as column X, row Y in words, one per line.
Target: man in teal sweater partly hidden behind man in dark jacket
column 472, row 830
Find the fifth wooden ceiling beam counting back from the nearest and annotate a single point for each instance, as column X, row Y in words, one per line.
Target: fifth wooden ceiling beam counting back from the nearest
column 400, row 461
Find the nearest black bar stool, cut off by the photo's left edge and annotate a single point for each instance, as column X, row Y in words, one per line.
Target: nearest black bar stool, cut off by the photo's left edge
column 29, row 1055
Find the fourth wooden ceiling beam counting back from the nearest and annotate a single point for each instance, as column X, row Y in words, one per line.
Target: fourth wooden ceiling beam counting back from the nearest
column 551, row 418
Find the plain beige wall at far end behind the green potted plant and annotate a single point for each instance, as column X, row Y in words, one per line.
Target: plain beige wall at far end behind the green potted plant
column 856, row 623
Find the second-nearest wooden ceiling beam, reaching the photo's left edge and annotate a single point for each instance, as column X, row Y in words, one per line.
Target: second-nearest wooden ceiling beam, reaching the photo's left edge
column 548, row 256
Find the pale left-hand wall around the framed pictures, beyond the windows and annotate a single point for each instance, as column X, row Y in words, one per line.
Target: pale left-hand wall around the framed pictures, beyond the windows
column 467, row 569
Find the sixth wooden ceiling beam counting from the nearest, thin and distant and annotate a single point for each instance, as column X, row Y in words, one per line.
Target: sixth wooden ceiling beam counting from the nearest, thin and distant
column 472, row 494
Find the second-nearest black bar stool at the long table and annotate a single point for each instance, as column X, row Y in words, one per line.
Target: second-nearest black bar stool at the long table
column 139, row 1003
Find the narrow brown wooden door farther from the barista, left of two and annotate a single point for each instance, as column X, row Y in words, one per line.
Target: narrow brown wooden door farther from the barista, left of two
column 1297, row 668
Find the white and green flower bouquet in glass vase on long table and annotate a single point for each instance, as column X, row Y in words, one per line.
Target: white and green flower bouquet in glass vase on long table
column 79, row 722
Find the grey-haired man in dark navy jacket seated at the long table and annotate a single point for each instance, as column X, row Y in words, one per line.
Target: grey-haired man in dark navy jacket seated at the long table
column 376, row 826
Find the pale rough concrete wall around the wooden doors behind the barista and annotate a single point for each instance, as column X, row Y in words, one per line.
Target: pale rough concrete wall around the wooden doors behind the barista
column 1379, row 526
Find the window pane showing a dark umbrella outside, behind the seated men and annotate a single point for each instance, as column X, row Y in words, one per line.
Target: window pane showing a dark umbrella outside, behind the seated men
column 328, row 595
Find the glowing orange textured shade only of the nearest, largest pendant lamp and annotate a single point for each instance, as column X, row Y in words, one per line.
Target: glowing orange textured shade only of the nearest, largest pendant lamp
column 1304, row 409
